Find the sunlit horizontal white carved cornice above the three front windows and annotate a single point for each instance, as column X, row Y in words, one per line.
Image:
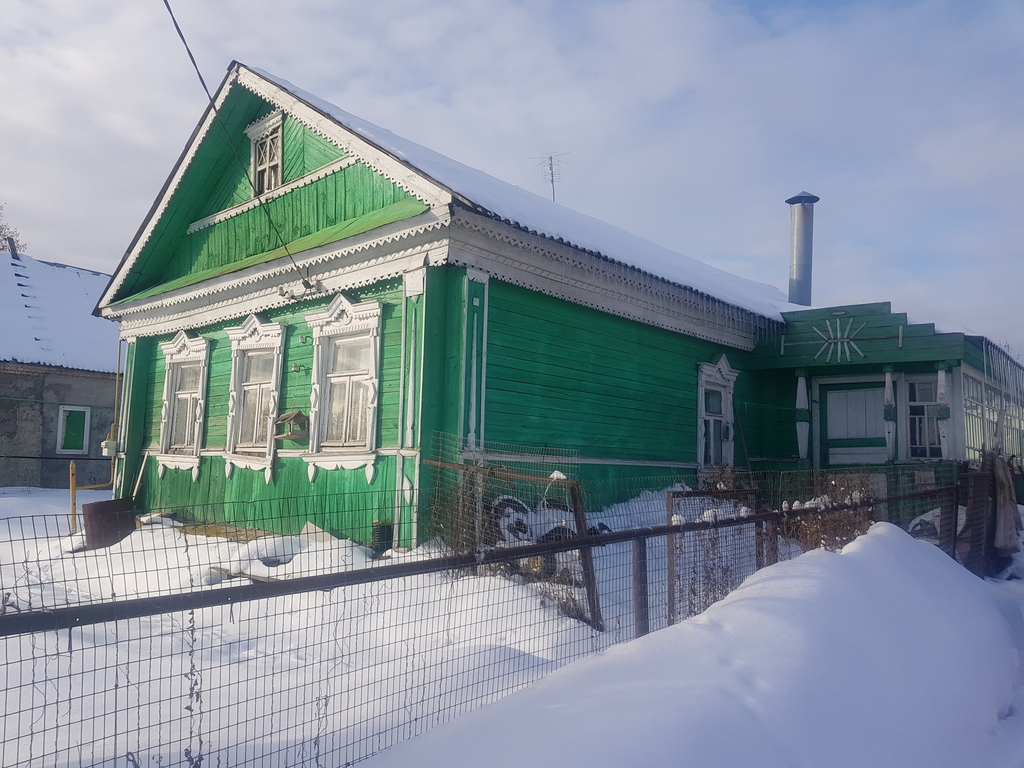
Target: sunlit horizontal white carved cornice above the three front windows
column 361, row 262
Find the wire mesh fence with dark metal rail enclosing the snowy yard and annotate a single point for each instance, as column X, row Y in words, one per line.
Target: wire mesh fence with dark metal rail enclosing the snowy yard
column 196, row 642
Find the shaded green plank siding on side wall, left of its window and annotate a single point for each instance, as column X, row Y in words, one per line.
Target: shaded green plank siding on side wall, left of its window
column 562, row 376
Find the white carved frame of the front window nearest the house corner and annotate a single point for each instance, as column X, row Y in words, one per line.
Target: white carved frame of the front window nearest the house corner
column 344, row 320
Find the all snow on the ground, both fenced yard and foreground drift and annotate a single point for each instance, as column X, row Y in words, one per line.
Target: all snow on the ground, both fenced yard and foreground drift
column 886, row 655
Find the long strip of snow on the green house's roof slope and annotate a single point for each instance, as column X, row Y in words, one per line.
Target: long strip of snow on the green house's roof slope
column 534, row 214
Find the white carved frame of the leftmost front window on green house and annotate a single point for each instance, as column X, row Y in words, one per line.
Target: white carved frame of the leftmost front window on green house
column 181, row 351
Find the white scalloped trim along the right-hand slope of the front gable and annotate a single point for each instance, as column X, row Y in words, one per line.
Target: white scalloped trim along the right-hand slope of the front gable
column 329, row 129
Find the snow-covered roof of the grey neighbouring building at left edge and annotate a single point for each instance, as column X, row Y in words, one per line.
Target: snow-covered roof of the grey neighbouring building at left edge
column 47, row 316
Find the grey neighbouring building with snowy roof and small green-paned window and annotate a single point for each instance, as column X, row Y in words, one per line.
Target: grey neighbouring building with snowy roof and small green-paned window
column 58, row 367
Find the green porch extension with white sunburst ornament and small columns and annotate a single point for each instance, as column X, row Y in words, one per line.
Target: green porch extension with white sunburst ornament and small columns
column 869, row 388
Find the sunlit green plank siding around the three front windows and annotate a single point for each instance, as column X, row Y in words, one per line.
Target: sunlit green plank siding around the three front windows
column 245, row 496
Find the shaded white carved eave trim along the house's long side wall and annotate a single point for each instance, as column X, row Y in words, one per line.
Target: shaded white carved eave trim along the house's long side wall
column 539, row 264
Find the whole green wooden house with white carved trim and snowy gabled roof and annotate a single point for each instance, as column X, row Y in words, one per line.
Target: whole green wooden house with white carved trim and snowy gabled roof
column 315, row 307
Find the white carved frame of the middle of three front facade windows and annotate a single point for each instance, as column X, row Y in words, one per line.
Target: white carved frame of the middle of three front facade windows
column 252, row 336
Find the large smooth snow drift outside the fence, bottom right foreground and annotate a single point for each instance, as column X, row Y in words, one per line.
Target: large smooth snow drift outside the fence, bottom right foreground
column 886, row 655
